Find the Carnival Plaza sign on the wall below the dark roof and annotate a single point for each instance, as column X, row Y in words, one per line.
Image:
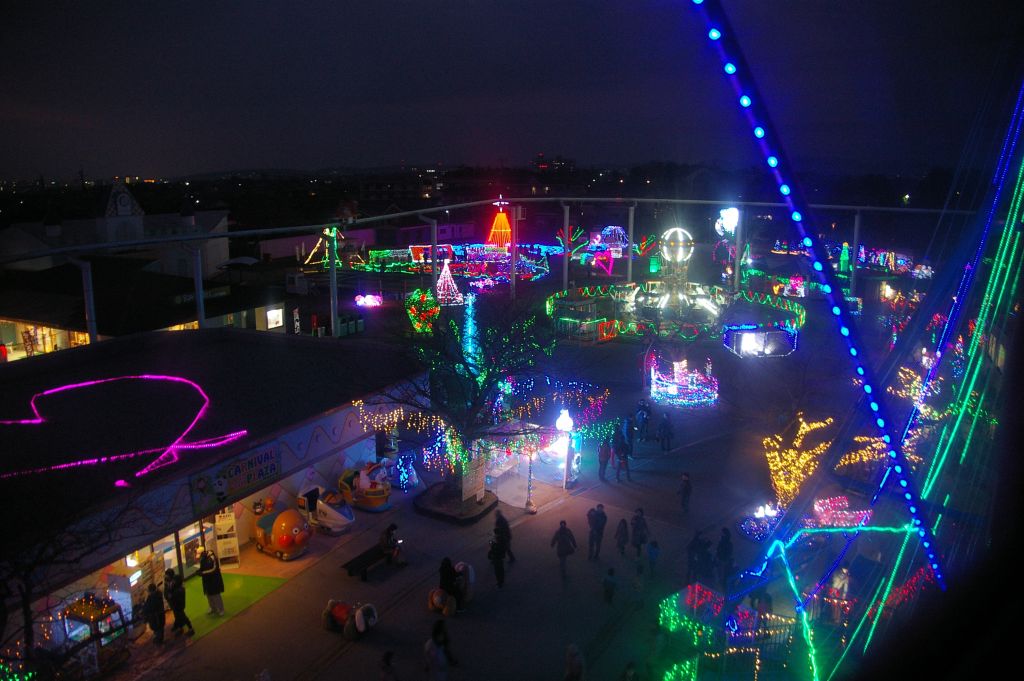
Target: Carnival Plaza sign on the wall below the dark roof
column 235, row 479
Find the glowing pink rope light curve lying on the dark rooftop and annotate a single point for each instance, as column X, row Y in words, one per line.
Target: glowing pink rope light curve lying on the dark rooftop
column 168, row 455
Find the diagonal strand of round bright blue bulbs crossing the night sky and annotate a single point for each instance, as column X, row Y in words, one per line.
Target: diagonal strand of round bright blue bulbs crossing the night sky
column 795, row 201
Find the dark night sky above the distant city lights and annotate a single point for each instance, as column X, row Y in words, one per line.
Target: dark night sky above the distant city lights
column 172, row 89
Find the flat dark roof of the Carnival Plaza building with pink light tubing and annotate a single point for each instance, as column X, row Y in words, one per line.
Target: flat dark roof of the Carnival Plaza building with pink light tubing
column 258, row 381
